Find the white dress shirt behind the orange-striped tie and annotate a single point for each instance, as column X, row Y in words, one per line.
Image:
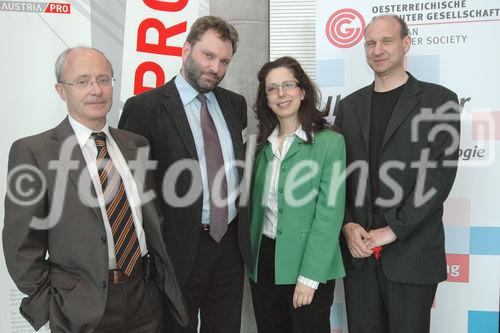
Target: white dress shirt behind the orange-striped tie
column 89, row 150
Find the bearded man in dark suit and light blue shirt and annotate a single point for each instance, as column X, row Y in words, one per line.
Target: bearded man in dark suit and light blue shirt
column 199, row 128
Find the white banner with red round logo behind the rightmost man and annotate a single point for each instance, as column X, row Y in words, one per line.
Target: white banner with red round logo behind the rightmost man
column 454, row 43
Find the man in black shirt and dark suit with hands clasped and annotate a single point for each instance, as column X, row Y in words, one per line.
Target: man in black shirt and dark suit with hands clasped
column 404, row 164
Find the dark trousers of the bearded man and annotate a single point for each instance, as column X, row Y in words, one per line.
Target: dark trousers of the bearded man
column 214, row 287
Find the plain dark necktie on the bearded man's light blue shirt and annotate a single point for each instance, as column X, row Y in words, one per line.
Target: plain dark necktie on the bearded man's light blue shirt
column 215, row 162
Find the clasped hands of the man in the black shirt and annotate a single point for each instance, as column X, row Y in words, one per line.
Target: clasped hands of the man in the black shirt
column 362, row 242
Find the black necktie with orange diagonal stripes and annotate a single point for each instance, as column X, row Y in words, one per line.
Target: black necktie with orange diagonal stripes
column 117, row 208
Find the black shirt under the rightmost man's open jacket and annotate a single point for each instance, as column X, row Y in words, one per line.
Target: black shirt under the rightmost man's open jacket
column 383, row 104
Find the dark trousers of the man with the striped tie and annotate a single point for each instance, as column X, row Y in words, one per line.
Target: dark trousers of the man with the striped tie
column 133, row 306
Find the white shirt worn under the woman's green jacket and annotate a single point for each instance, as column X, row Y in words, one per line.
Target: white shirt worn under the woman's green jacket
column 271, row 214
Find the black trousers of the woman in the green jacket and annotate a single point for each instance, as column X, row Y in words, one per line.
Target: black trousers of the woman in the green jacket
column 273, row 304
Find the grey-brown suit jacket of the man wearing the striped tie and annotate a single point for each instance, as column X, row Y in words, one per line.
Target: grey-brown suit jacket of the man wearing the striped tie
column 69, row 288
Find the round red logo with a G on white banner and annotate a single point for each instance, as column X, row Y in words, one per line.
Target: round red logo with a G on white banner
column 345, row 28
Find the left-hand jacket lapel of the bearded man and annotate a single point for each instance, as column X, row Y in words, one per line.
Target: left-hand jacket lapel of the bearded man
column 174, row 108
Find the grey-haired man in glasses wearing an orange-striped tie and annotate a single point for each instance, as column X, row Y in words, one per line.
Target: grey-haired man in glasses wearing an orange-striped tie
column 88, row 250
